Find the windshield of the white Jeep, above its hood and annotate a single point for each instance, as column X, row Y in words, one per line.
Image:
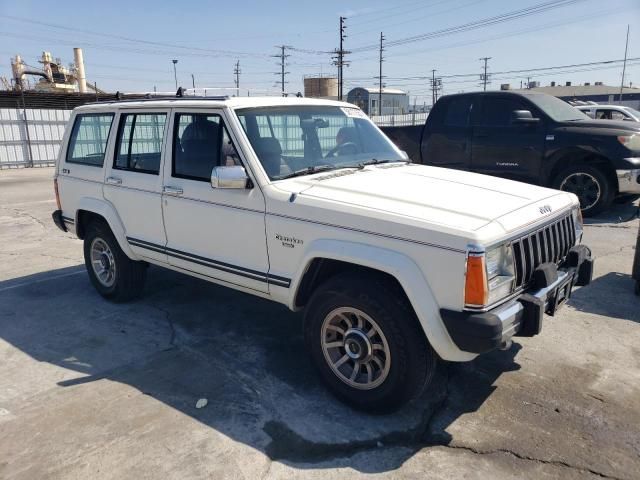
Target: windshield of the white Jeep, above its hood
column 298, row 140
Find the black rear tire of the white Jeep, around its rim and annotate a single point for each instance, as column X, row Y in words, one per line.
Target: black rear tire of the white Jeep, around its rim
column 127, row 281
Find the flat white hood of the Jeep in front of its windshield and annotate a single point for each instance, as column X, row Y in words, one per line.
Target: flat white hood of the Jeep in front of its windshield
column 453, row 199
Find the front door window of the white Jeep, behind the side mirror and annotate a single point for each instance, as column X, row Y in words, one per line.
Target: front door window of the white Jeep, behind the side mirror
column 201, row 142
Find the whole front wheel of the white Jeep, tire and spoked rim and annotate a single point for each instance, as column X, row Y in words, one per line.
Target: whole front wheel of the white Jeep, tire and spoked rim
column 367, row 343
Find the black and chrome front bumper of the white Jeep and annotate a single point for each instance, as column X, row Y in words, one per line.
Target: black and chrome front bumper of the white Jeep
column 522, row 316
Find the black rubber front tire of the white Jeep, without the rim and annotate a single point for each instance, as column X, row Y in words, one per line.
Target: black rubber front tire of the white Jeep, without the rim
column 412, row 361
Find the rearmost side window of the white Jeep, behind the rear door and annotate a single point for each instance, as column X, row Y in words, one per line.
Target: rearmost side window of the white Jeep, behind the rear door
column 89, row 137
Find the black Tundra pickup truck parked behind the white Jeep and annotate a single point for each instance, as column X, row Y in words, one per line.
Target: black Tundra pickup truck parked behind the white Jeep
column 530, row 137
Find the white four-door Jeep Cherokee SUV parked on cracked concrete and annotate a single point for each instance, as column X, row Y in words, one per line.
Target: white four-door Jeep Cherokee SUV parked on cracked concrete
column 307, row 203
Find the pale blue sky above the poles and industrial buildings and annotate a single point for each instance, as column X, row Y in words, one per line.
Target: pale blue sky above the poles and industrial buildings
column 128, row 46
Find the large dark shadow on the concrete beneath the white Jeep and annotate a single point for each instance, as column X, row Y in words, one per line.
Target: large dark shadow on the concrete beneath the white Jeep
column 187, row 339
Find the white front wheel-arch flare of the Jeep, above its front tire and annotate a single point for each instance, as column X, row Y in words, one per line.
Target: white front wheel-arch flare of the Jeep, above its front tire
column 403, row 269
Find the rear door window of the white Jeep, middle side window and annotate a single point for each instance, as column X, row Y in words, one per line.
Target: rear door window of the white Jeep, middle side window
column 139, row 144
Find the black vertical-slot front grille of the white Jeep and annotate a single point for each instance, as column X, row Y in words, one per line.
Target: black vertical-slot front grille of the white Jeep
column 550, row 243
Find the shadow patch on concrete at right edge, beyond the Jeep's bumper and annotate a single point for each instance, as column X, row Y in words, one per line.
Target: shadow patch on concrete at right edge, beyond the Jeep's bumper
column 615, row 297
